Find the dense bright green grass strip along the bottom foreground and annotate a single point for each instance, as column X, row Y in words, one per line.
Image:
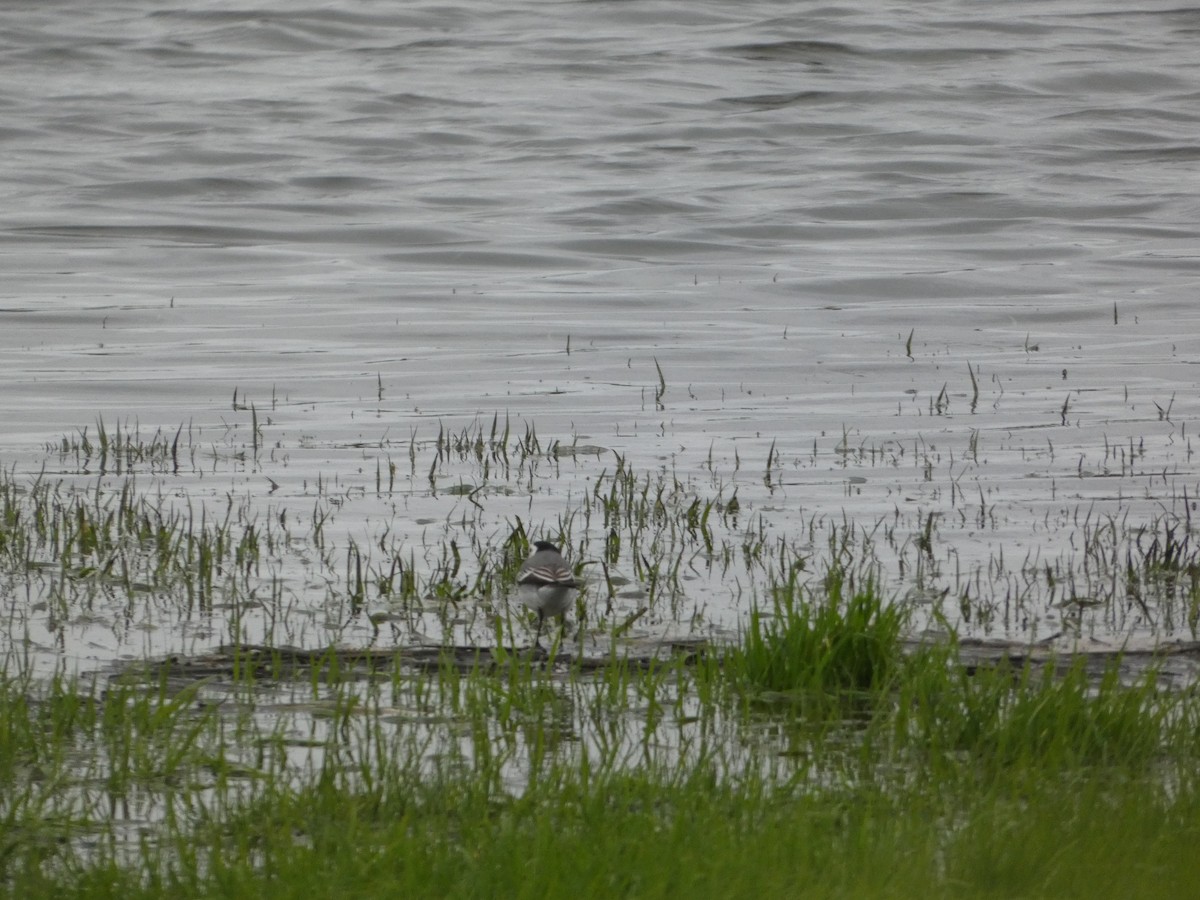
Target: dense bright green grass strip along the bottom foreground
column 662, row 835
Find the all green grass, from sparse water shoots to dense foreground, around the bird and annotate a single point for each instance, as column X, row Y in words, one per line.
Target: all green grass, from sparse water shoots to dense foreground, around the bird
column 823, row 752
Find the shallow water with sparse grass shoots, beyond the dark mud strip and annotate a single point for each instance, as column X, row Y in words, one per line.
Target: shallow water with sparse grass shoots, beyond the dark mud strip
column 985, row 509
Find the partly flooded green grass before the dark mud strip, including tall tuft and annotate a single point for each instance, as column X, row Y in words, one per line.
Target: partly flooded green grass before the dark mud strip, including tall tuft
column 638, row 782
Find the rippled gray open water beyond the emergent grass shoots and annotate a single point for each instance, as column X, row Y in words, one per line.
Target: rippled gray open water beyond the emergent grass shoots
column 819, row 221
